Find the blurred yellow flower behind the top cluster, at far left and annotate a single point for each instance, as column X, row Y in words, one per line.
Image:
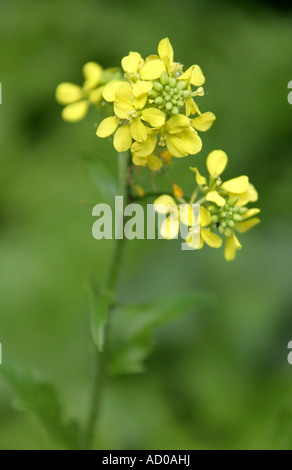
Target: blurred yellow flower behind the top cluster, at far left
column 77, row 99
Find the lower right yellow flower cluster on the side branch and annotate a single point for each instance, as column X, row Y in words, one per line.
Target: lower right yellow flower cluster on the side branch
column 223, row 209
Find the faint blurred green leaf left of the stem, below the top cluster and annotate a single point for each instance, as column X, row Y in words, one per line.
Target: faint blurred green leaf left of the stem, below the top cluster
column 102, row 177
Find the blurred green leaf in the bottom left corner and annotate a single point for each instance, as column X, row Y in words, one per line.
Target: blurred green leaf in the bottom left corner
column 42, row 400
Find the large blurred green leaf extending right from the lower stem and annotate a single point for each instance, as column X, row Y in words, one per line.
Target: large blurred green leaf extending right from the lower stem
column 132, row 329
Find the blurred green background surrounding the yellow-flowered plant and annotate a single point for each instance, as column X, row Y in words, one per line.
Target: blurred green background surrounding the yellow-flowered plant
column 219, row 376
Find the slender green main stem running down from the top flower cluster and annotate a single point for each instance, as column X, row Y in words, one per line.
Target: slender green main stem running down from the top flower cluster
column 109, row 287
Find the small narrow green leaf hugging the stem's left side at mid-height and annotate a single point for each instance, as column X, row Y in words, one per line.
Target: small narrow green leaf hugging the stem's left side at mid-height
column 99, row 306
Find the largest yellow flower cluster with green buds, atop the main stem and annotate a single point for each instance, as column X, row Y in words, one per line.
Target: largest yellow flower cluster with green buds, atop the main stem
column 154, row 108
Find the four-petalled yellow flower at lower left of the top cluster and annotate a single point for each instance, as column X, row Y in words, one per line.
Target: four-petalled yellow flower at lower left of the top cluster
column 127, row 124
